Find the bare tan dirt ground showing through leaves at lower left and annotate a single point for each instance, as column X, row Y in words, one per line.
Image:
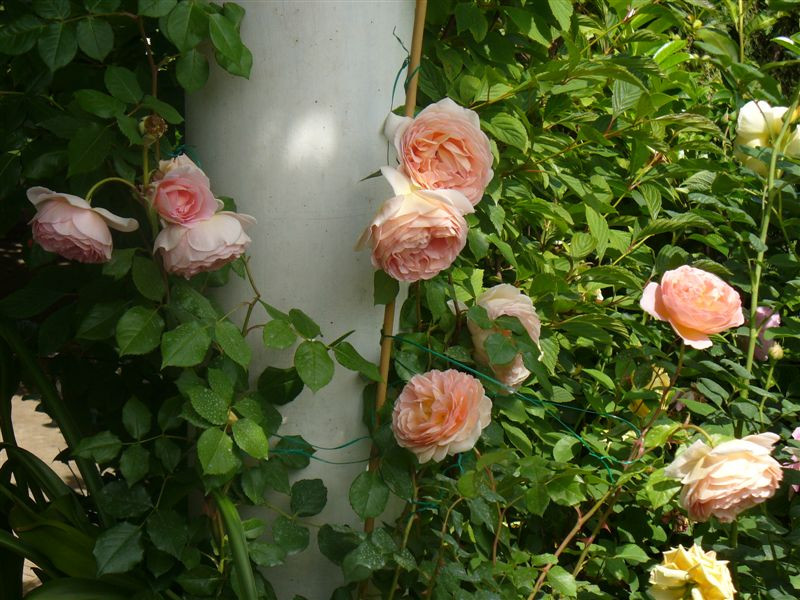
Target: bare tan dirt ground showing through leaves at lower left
column 36, row 433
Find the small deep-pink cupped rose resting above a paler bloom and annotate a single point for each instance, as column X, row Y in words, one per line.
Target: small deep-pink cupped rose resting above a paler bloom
column 182, row 194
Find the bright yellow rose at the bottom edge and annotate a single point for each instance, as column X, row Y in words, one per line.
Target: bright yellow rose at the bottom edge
column 691, row 571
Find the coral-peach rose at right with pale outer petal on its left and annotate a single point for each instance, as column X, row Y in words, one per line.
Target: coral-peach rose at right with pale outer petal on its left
column 696, row 303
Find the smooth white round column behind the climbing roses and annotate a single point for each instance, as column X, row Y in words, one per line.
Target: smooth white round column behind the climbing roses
column 290, row 145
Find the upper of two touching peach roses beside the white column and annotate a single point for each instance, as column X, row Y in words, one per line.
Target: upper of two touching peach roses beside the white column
column 443, row 148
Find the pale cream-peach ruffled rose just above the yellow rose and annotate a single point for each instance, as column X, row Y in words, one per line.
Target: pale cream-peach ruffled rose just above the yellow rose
column 727, row 479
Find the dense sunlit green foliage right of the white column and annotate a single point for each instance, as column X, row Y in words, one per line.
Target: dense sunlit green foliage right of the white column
column 612, row 126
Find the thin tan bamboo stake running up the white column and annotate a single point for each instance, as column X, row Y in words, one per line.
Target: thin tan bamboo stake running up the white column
column 388, row 313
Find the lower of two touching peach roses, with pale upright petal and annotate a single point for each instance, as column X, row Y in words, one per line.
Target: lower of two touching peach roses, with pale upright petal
column 417, row 233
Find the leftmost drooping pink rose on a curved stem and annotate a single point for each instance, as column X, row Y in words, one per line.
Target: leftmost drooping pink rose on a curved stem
column 69, row 226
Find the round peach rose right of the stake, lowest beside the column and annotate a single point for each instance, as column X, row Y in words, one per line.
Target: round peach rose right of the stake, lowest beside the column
column 440, row 413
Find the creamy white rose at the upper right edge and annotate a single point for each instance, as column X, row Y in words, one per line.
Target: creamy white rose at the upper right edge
column 758, row 126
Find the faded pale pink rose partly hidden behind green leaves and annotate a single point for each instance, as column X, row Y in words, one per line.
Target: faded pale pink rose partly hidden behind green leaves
column 505, row 299
